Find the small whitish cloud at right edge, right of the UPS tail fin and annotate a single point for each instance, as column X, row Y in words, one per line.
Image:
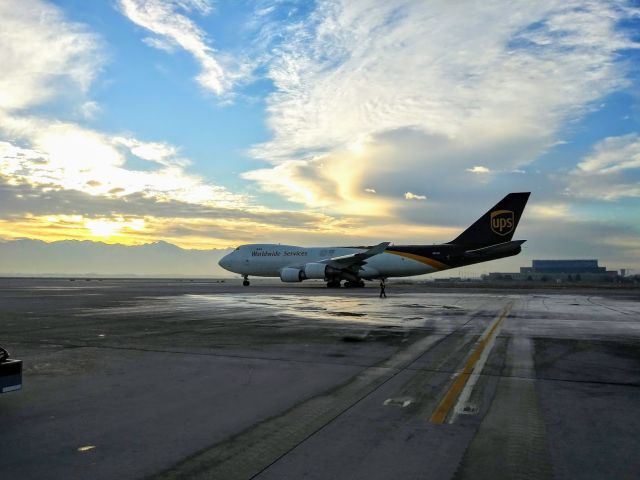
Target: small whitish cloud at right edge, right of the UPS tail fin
column 610, row 172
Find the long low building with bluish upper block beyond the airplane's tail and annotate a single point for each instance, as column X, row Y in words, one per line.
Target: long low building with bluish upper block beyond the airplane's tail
column 559, row 271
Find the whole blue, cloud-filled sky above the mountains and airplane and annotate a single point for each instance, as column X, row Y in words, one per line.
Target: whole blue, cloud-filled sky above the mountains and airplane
column 207, row 124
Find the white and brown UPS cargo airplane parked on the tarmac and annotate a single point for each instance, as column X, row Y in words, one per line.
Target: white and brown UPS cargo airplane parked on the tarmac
column 489, row 238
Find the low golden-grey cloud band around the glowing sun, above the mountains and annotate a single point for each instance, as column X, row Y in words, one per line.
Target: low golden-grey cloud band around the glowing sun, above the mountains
column 48, row 214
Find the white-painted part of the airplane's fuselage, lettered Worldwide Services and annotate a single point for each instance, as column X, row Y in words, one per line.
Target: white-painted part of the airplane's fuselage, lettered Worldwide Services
column 268, row 260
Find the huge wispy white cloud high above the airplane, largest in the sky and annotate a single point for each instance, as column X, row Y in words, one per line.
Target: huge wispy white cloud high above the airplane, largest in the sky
column 430, row 90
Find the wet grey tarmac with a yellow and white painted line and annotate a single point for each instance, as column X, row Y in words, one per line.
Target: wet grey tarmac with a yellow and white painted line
column 168, row 379
